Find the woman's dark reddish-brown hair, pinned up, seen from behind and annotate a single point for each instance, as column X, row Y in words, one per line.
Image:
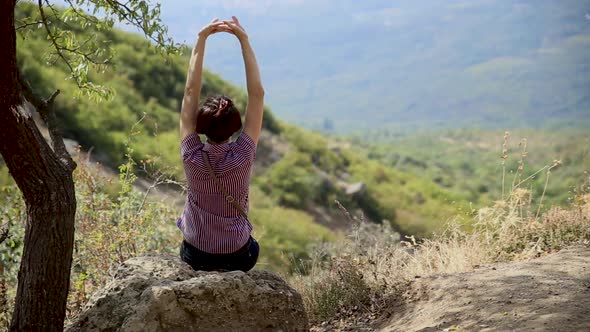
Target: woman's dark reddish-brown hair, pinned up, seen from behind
column 218, row 118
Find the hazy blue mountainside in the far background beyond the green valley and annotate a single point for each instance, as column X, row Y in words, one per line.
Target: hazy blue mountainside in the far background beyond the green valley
column 407, row 65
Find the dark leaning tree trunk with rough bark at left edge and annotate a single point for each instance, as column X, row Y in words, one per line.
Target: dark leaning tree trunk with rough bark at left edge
column 44, row 176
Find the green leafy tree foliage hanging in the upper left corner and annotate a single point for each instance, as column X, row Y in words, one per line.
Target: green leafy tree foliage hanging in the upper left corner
column 77, row 34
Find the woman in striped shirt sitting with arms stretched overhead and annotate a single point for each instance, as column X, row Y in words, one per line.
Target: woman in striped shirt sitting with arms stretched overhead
column 215, row 226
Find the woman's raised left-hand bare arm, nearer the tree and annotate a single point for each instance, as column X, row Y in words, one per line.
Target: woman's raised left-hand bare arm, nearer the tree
column 192, row 90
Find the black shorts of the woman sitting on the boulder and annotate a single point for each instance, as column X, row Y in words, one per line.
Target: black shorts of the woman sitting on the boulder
column 243, row 259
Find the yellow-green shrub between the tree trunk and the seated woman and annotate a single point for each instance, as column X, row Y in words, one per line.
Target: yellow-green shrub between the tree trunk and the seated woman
column 111, row 229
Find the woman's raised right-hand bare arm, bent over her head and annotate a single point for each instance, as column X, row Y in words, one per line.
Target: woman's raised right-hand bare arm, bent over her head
column 255, row 108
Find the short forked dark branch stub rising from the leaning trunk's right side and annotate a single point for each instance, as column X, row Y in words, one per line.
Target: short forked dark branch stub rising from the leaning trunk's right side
column 47, row 112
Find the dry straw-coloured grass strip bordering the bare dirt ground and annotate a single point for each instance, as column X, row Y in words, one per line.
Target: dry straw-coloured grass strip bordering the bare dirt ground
column 373, row 263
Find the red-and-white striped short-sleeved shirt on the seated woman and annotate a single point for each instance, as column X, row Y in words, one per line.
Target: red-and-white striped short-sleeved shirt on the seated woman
column 209, row 222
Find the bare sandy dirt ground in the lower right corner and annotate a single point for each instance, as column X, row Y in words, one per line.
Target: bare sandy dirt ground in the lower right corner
column 551, row 293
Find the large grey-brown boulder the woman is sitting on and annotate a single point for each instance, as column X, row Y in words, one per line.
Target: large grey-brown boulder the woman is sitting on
column 162, row 293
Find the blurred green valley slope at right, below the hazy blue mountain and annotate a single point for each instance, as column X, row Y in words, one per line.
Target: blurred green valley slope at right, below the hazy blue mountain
column 470, row 160
